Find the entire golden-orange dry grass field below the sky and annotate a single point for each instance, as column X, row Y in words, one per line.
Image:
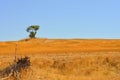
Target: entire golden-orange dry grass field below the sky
column 65, row 59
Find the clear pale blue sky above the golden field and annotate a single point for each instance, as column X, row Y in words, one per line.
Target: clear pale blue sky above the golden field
column 60, row 18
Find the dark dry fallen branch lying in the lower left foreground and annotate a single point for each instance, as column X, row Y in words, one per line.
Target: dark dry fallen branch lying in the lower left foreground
column 15, row 68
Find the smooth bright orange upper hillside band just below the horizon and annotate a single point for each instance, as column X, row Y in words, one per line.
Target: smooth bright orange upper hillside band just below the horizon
column 29, row 46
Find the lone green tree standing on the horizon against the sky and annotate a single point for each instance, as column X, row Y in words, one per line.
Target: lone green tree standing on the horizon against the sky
column 32, row 30
